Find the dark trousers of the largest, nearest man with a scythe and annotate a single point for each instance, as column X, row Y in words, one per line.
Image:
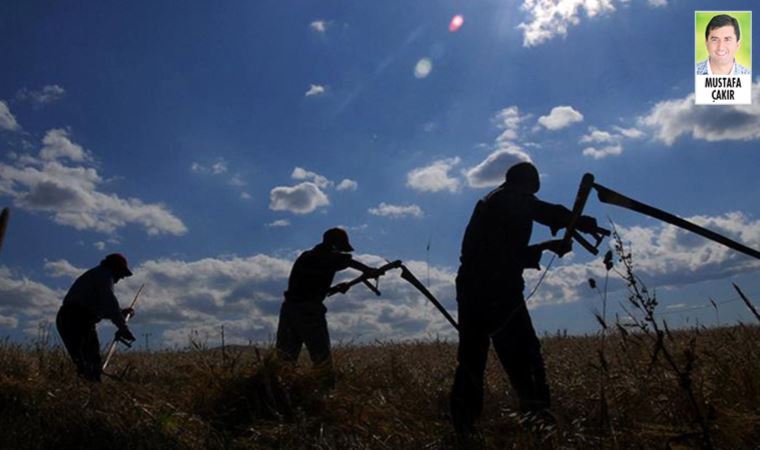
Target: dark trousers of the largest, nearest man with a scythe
column 519, row 351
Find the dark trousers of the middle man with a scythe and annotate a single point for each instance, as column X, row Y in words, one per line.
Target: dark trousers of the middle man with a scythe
column 304, row 323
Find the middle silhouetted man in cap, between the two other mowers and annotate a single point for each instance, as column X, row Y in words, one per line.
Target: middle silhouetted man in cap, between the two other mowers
column 302, row 315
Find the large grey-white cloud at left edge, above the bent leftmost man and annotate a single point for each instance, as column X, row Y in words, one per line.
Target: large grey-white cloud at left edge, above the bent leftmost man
column 70, row 195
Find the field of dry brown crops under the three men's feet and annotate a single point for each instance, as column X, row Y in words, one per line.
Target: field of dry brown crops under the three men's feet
column 690, row 389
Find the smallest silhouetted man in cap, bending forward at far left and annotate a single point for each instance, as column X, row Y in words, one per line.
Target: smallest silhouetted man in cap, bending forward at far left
column 89, row 300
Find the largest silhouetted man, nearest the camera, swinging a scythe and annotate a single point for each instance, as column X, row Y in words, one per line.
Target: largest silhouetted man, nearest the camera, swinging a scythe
column 490, row 299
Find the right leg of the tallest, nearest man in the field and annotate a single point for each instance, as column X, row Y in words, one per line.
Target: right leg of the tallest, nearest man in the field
column 519, row 352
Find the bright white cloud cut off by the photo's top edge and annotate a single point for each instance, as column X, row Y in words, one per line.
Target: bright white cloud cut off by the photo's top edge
column 550, row 18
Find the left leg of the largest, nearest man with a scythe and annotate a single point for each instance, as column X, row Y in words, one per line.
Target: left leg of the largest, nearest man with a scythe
column 467, row 391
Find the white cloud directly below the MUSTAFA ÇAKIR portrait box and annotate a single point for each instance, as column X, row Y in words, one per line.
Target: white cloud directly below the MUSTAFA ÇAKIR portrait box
column 670, row 119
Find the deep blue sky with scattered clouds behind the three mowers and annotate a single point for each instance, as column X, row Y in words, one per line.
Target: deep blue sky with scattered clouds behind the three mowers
column 211, row 144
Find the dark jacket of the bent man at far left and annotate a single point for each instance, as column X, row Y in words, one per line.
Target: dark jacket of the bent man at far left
column 92, row 293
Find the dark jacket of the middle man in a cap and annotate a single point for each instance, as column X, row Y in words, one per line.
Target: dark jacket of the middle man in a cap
column 313, row 273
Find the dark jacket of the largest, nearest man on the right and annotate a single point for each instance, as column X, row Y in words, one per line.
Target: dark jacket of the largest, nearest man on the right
column 495, row 247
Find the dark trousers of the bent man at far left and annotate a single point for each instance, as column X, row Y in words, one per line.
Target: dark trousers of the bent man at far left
column 77, row 330
